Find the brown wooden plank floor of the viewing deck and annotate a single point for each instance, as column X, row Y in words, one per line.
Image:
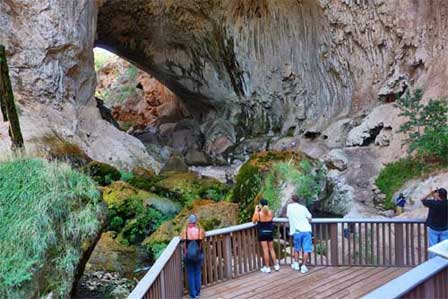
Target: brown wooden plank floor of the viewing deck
column 319, row 282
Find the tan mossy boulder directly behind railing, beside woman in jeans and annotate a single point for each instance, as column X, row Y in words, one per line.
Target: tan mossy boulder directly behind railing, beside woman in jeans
column 211, row 215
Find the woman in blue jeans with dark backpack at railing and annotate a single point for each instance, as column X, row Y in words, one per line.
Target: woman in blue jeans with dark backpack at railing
column 193, row 235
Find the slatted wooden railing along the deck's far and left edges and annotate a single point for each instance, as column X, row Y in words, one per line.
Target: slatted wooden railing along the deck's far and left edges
column 233, row 251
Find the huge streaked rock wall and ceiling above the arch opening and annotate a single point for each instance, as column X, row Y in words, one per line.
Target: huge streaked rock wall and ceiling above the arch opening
column 276, row 66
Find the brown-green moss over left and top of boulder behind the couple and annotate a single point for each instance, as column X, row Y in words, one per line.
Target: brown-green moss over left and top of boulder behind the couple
column 252, row 178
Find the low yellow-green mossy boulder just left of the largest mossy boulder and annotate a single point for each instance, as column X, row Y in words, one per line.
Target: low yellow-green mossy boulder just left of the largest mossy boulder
column 188, row 186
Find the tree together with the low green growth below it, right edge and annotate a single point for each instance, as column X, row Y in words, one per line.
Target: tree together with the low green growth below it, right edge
column 426, row 128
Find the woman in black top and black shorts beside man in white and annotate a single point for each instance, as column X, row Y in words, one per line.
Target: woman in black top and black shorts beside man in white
column 263, row 217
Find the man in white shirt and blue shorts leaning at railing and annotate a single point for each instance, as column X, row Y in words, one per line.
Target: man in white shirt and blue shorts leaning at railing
column 300, row 230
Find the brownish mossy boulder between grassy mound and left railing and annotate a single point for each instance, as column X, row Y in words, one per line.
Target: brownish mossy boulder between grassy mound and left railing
column 112, row 256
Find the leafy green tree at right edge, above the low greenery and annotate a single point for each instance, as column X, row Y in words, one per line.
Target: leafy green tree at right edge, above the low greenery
column 426, row 126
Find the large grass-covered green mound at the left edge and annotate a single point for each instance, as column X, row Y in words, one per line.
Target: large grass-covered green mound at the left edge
column 49, row 214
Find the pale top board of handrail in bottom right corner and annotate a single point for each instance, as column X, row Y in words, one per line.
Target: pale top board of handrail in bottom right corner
column 410, row 280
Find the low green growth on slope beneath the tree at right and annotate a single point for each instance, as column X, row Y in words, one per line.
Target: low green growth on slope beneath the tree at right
column 396, row 174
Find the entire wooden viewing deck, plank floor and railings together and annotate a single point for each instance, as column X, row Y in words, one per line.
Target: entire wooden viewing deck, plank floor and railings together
column 352, row 259
